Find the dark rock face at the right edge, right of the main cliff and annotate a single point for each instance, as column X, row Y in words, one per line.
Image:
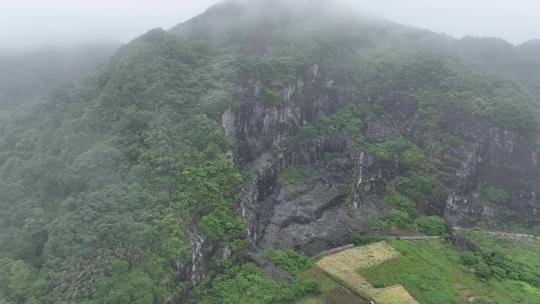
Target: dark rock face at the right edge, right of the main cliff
column 494, row 156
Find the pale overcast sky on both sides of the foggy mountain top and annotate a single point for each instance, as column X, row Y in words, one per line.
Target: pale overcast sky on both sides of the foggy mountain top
column 30, row 23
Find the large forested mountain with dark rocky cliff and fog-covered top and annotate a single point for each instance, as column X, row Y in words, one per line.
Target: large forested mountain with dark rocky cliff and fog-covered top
column 201, row 161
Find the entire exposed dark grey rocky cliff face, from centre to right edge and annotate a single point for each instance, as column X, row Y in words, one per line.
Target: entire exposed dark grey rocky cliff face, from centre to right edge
column 343, row 191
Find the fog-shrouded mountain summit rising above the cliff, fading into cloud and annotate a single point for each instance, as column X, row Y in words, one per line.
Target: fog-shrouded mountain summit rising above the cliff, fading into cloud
column 256, row 19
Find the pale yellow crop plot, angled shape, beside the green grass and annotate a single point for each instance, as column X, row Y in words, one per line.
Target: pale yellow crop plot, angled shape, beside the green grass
column 343, row 267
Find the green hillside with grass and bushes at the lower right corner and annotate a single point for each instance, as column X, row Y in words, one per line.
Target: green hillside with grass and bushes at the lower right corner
column 443, row 275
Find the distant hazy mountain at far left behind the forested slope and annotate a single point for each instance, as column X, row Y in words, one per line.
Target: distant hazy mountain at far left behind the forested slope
column 25, row 76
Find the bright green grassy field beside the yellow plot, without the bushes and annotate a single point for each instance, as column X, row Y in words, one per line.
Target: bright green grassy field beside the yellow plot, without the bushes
column 432, row 272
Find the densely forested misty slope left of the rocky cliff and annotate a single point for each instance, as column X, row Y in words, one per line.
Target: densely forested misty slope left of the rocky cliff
column 101, row 184
